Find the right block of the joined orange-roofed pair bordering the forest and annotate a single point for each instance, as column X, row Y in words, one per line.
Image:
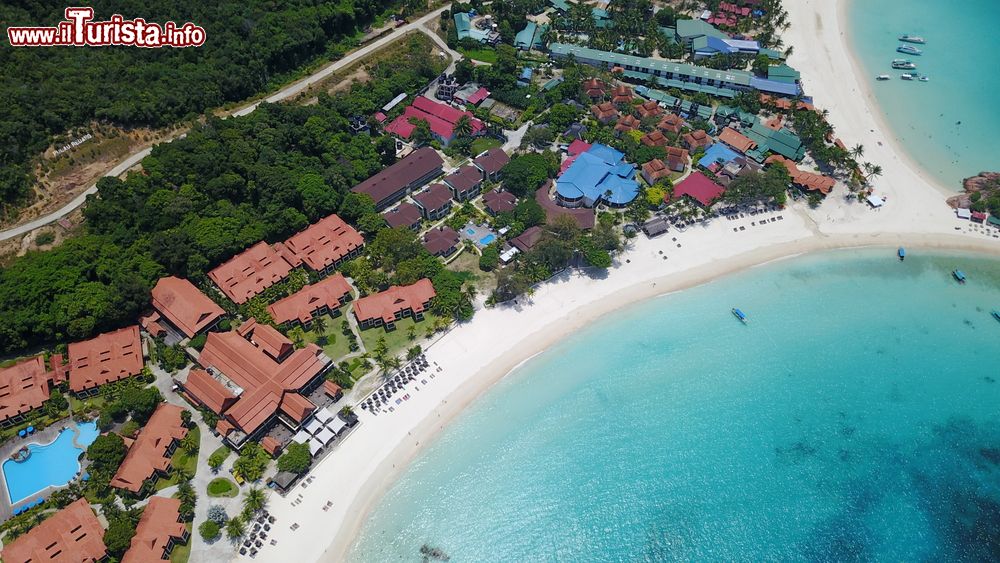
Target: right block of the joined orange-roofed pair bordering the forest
column 325, row 244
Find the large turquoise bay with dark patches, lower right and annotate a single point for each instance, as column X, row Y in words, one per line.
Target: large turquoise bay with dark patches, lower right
column 856, row 417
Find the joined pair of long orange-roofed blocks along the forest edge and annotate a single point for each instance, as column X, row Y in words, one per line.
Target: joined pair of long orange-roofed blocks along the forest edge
column 321, row 247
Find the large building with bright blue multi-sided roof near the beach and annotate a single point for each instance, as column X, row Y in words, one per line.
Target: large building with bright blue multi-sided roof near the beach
column 600, row 174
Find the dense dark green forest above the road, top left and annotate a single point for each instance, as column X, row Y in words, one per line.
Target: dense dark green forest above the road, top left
column 45, row 92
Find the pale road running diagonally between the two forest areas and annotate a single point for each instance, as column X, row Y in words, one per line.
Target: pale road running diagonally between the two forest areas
column 287, row 92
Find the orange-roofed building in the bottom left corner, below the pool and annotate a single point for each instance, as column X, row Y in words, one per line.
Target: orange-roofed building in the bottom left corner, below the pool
column 72, row 535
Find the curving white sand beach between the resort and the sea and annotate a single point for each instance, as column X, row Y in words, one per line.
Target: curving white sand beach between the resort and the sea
column 475, row 355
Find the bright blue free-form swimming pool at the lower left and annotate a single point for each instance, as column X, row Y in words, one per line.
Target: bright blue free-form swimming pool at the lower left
column 50, row 465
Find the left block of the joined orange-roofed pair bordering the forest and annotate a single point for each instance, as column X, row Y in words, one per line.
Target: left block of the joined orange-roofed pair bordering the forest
column 250, row 272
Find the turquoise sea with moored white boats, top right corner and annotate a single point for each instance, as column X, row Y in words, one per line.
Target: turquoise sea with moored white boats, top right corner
column 961, row 58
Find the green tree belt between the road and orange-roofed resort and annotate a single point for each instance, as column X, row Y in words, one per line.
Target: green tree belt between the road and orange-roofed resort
column 200, row 200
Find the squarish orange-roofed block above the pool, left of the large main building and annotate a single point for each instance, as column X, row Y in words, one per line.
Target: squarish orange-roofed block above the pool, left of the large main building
column 106, row 358
